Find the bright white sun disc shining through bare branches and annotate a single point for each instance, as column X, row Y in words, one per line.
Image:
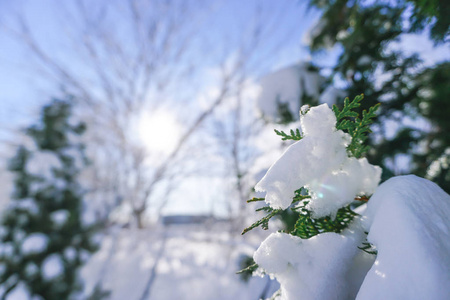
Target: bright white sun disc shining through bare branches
column 159, row 132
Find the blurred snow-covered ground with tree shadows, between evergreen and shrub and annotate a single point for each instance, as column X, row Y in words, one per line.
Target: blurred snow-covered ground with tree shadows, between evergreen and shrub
column 176, row 262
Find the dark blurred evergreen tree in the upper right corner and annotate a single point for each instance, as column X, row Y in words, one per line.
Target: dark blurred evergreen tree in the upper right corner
column 410, row 134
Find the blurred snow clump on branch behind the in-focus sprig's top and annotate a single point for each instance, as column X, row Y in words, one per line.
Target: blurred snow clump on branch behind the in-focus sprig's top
column 287, row 86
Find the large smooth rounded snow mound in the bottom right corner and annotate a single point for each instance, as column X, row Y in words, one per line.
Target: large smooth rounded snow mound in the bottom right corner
column 408, row 219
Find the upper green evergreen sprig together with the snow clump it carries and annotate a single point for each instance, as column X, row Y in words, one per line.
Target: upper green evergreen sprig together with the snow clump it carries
column 323, row 166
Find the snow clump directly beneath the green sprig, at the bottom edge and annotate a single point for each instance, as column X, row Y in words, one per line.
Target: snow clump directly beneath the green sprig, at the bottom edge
column 308, row 268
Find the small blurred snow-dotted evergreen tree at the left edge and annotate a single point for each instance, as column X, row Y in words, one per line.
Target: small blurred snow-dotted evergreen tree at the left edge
column 43, row 238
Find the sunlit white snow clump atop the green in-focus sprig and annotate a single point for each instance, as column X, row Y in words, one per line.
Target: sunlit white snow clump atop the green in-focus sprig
column 320, row 163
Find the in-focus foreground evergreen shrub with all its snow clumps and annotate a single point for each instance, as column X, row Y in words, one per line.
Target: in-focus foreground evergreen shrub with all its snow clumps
column 336, row 250
